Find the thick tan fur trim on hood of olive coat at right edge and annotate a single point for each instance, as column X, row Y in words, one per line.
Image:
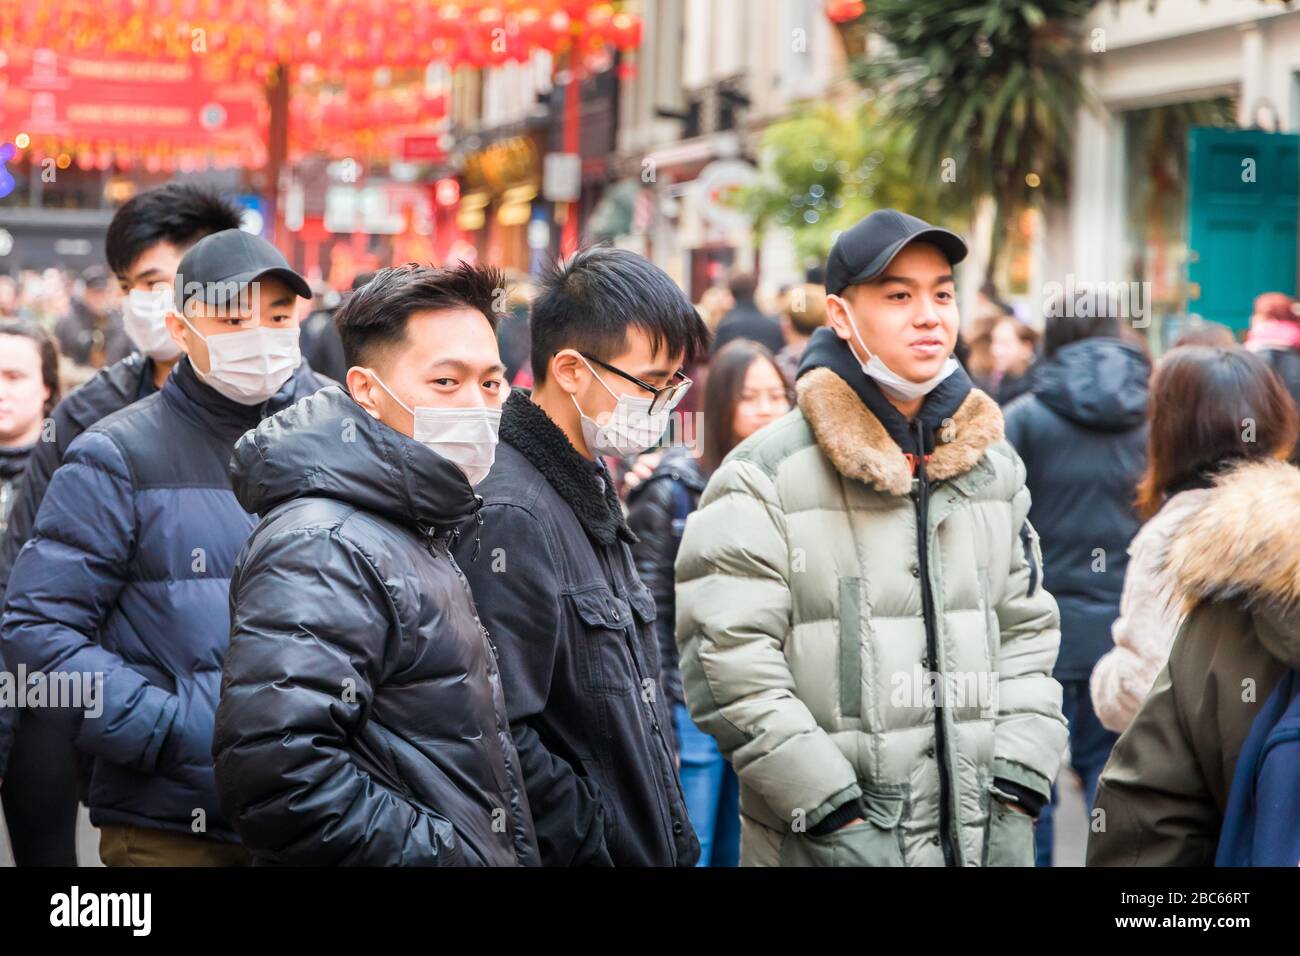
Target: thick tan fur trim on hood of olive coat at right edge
column 1245, row 546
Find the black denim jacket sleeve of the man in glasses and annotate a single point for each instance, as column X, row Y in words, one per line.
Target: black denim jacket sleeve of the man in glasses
column 517, row 587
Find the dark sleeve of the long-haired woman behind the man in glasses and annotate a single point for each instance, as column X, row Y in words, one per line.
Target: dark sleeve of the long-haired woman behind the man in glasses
column 656, row 551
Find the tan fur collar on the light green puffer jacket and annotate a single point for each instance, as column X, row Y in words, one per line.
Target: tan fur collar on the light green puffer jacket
column 860, row 447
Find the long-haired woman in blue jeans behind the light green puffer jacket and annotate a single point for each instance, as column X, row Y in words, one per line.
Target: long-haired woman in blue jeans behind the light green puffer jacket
column 744, row 392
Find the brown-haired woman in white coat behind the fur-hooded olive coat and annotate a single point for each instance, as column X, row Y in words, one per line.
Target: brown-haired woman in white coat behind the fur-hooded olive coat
column 1199, row 399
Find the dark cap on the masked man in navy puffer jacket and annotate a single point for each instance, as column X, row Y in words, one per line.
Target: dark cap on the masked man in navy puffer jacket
column 223, row 263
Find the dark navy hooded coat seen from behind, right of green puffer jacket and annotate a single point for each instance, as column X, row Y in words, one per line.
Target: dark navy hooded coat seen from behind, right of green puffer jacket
column 1082, row 434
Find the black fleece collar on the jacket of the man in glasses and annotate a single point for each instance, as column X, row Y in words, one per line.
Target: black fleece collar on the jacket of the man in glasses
column 530, row 431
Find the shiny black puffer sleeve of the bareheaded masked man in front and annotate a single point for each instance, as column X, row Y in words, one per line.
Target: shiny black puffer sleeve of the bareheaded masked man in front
column 310, row 631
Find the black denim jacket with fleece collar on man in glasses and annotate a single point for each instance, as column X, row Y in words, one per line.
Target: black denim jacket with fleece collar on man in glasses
column 560, row 594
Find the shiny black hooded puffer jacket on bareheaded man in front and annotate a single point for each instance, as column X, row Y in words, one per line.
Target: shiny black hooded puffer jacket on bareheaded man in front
column 362, row 717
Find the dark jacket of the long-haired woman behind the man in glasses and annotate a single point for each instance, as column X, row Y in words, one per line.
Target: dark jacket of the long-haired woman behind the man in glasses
column 652, row 509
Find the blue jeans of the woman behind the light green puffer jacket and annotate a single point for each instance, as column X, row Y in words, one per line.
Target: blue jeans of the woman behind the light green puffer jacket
column 712, row 791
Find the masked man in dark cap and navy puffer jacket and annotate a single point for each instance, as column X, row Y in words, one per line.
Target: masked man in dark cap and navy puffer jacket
column 128, row 570
